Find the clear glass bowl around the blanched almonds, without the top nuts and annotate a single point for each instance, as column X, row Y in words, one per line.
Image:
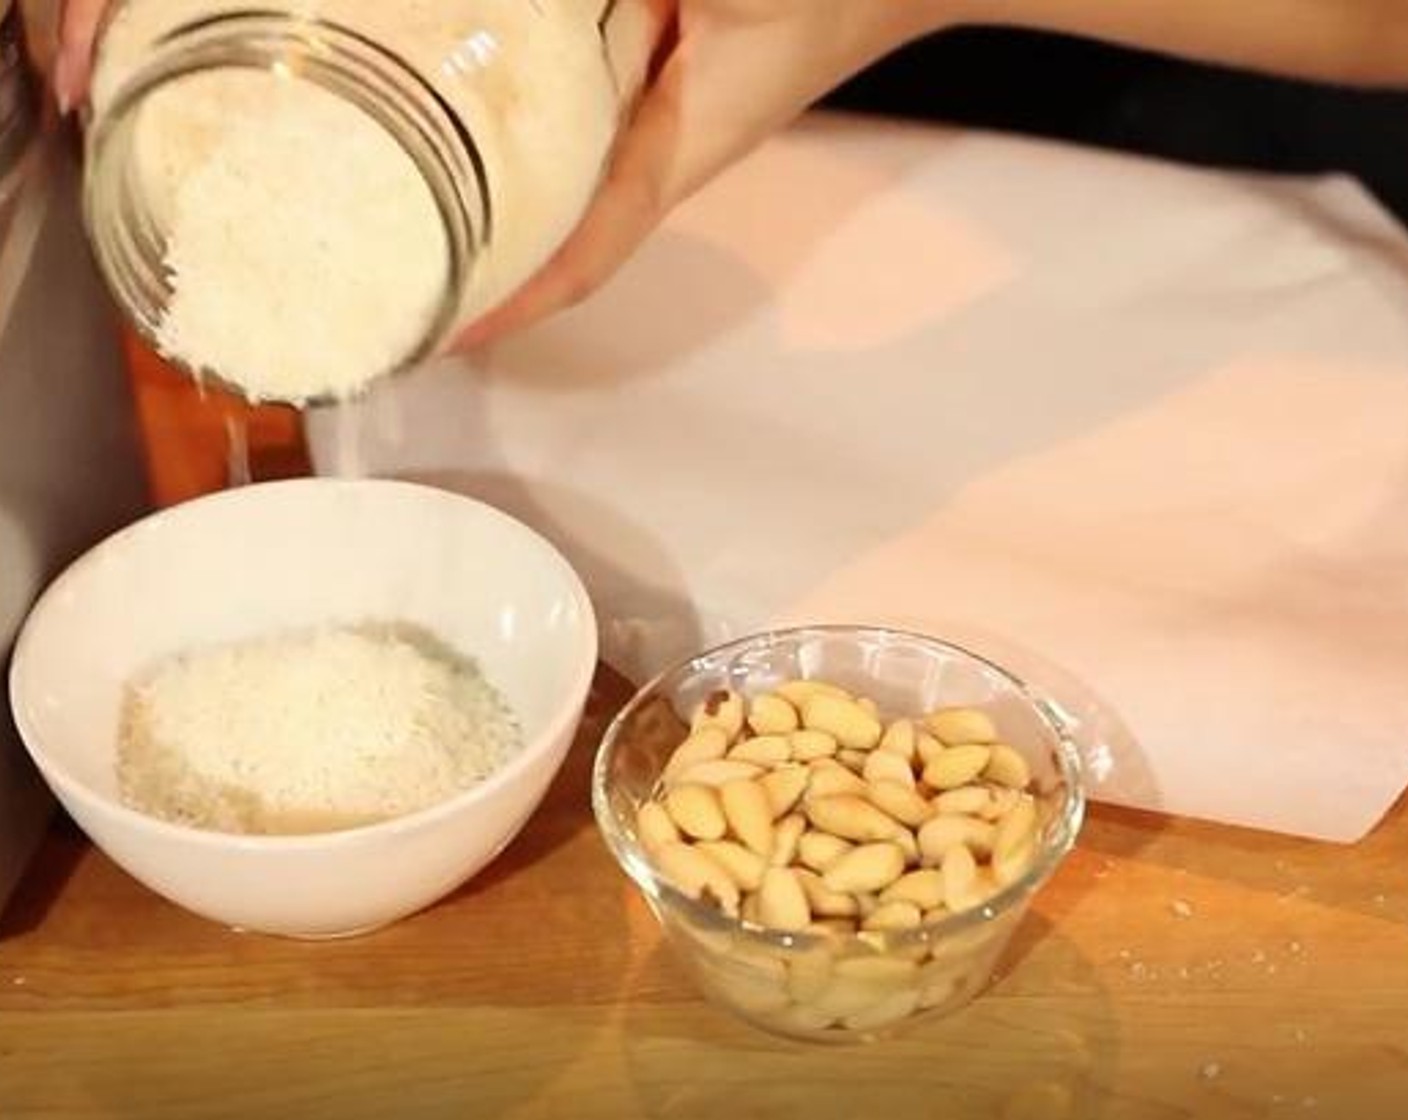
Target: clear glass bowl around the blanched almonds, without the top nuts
column 820, row 987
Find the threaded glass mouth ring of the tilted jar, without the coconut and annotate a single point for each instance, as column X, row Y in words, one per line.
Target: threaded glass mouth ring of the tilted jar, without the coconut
column 127, row 237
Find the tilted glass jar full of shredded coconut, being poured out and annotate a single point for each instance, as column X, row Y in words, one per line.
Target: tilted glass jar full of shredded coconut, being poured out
column 301, row 198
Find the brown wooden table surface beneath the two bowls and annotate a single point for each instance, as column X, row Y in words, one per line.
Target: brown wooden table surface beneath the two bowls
column 1171, row 970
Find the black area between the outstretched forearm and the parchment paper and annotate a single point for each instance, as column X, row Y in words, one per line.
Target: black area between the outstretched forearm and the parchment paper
column 1140, row 102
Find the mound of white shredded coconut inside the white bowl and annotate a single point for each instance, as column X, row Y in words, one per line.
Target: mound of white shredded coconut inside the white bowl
column 310, row 732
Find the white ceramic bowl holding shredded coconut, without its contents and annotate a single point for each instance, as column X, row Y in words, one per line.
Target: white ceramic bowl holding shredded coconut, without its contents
column 292, row 554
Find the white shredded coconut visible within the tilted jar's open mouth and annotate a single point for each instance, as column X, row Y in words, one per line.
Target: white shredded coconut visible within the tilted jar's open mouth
column 306, row 256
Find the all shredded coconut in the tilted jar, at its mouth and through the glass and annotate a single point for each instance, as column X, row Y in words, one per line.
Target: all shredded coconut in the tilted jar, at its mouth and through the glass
column 306, row 254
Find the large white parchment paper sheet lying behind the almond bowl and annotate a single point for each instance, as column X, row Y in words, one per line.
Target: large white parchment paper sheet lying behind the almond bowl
column 1140, row 432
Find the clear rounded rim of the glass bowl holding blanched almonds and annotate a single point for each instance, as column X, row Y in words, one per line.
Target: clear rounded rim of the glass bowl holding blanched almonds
column 1061, row 832
